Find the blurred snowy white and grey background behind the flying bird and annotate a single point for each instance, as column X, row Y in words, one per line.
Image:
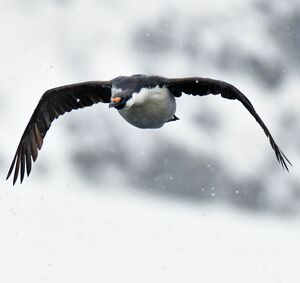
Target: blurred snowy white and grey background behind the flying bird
column 202, row 199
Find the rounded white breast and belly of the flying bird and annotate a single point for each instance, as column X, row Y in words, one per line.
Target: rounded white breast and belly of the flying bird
column 149, row 108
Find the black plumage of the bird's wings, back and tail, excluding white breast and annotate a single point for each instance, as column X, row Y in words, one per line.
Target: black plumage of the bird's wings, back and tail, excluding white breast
column 57, row 101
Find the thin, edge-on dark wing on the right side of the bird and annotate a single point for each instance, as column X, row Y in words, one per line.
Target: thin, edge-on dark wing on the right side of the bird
column 204, row 86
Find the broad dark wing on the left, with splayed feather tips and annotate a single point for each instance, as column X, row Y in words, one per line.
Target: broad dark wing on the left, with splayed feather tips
column 54, row 102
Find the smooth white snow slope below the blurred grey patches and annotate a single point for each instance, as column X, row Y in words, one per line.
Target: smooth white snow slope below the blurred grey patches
column 83, row 236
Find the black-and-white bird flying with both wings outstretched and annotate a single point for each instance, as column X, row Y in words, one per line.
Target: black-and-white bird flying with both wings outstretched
column 144, row 101
